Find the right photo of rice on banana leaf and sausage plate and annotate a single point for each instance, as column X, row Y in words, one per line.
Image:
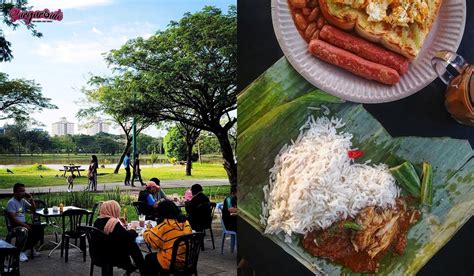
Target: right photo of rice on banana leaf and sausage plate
column 355, row 137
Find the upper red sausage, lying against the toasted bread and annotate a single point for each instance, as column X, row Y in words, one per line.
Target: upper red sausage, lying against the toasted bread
column 364, row 48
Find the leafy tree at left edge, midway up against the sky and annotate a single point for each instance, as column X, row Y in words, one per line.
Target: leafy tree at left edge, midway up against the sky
column 19, row 98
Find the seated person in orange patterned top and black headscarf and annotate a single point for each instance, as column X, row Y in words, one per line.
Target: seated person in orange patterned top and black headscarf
column 162, row 237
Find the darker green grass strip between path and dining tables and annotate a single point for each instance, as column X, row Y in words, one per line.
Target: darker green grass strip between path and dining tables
column 125, row 198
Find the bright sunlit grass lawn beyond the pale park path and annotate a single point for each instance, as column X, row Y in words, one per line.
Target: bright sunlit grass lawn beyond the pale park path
column 41, row 175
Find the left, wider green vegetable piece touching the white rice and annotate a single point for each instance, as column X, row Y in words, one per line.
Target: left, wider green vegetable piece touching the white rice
column 407, row 178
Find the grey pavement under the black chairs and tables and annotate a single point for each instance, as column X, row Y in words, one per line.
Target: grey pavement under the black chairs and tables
column 211, row 262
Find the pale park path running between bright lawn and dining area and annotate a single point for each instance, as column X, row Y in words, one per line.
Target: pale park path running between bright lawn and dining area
column 111, row 186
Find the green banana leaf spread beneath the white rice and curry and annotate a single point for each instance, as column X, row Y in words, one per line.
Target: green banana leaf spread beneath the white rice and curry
column 270, row 113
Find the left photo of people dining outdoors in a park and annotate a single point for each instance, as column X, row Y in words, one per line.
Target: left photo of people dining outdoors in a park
column 118, row 137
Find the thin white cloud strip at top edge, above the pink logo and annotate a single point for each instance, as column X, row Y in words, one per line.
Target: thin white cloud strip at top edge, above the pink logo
column 67, row 4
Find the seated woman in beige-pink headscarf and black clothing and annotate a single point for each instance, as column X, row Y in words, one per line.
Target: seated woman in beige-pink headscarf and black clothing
column 122, row 244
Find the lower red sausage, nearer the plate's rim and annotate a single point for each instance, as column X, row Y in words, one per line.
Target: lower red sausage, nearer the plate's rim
column 353, row 63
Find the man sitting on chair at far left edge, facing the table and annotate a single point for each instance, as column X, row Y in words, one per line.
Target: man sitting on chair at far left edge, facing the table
column 16, row 208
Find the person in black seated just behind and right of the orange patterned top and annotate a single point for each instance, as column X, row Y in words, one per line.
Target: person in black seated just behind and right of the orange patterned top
column 198, row 209
